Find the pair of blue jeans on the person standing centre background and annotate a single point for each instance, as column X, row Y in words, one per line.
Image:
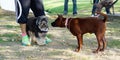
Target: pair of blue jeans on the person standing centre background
column 66, row 7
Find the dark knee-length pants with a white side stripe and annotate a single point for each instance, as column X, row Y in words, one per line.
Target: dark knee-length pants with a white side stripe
column 23, row 7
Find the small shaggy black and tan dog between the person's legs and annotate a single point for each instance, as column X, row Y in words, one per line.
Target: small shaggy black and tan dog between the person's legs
column 37, row 28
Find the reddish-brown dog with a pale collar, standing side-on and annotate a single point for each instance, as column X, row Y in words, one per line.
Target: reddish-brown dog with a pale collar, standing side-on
column 80, row 26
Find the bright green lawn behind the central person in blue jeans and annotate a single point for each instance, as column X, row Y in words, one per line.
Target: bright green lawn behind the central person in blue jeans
column 58, row 6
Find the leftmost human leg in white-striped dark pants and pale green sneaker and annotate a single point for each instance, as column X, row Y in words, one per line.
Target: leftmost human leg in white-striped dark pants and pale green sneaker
column 22, row 10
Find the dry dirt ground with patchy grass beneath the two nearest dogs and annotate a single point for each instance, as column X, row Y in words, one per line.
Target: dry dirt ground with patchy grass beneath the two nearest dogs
column 61, row 48
